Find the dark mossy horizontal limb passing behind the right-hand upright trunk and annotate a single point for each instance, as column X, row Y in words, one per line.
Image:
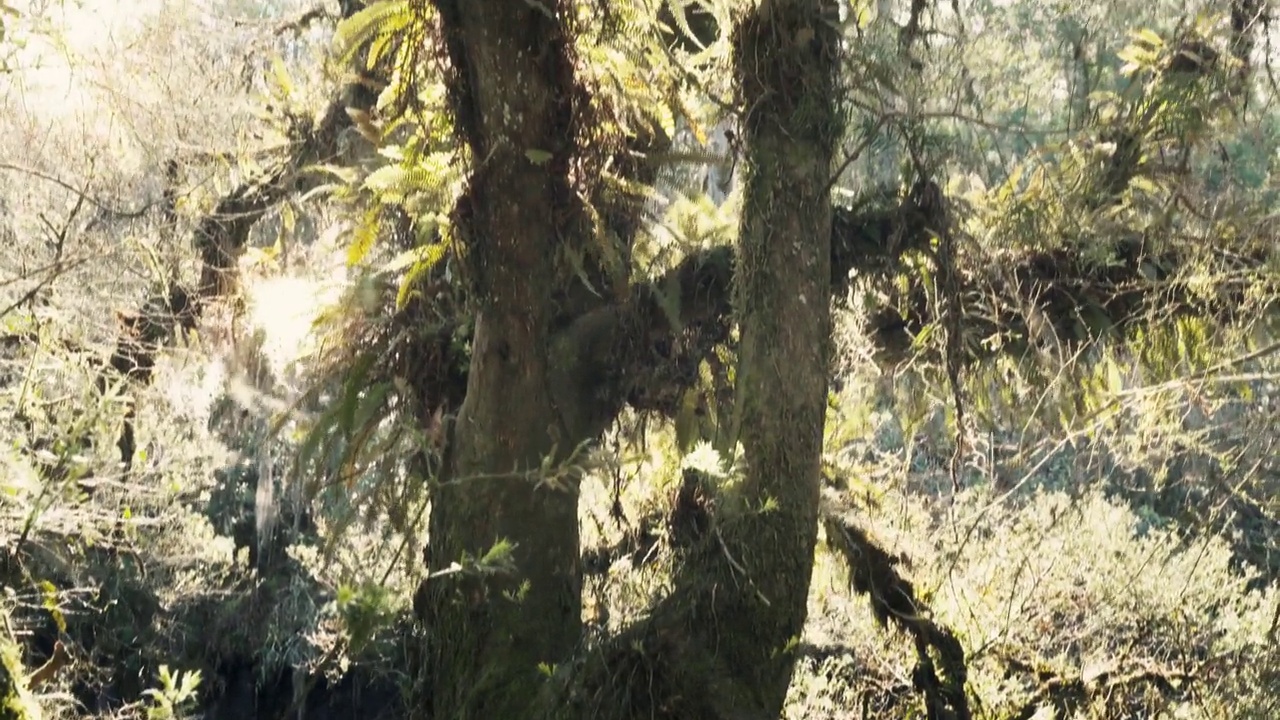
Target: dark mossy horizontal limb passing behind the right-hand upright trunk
column 646, row 353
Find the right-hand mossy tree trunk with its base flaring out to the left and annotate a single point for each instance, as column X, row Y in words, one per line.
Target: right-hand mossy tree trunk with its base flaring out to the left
column 723, row 645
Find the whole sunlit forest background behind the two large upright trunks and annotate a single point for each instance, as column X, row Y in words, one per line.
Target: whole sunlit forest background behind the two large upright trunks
column 239, row 317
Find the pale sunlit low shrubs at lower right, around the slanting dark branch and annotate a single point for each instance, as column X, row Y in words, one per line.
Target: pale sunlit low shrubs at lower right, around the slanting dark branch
column 1066, row 587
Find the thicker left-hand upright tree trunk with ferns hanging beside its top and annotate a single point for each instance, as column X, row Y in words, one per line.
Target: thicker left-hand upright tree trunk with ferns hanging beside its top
column 492, row 626
